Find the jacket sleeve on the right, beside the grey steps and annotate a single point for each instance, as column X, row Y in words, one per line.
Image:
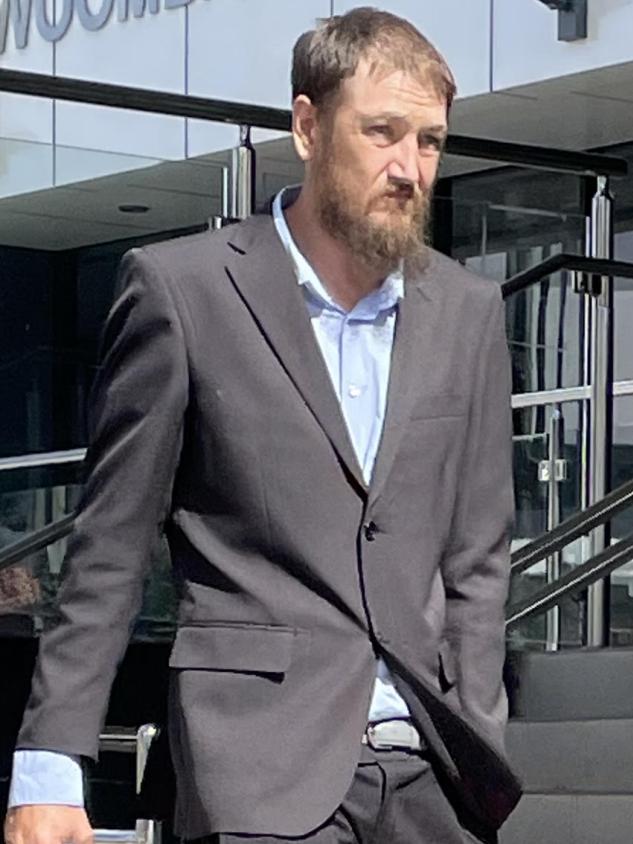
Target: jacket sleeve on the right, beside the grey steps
column 476, row 565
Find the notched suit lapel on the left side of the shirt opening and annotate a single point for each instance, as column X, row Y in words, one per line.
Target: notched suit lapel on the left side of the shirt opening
column 264, row 278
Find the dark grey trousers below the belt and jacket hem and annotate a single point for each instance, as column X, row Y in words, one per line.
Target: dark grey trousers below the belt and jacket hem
column 394, row 798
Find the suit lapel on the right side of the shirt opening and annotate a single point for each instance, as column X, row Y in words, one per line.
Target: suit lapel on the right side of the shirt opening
column 412, row 354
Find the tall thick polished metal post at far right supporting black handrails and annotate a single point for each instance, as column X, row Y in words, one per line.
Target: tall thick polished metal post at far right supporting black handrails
column 600, row 368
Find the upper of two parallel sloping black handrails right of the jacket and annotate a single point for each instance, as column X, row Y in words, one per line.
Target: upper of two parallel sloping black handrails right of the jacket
column 572, row 528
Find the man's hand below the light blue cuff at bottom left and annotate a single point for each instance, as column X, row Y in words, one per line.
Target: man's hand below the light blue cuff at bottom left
column 47, row 824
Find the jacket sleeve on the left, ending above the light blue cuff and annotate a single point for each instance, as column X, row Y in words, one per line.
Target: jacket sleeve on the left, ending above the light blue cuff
column 136, row 421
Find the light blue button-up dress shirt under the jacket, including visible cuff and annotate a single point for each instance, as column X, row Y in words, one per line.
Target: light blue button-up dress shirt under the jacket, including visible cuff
column 356, row 346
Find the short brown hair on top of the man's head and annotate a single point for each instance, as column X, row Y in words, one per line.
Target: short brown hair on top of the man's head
column 325, row 56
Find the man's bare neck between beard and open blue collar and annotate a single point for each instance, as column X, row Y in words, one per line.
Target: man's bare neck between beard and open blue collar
column 344, row 276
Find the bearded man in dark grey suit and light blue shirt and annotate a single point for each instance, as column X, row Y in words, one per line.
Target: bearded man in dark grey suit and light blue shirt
column 315, row 406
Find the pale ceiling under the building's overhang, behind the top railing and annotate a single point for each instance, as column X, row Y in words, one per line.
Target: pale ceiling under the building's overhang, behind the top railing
column 583, row 111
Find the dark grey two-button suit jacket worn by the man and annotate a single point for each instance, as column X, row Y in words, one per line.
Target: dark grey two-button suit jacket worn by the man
column 214, row 418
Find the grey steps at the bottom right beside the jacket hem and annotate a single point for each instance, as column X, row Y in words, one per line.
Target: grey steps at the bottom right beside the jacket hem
column 571, row 741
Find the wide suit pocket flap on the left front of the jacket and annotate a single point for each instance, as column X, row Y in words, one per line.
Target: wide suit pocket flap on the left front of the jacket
column 234, row 647
